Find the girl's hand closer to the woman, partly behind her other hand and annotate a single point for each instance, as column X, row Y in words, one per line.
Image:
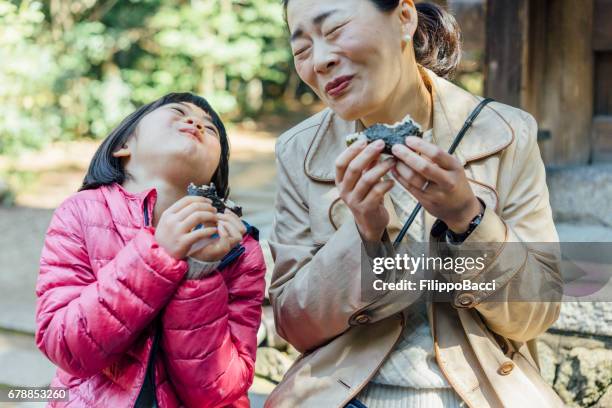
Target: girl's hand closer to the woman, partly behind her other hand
column 231, row 230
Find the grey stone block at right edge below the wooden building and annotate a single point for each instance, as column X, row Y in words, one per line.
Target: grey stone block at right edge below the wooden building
column 582, row 194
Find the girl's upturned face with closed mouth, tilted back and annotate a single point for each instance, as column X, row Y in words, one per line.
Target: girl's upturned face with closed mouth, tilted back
column 177, row 141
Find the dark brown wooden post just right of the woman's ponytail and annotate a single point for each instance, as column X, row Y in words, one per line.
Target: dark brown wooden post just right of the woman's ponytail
column 505, row 49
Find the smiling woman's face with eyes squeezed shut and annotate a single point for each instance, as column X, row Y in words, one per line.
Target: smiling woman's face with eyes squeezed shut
column 348, row 52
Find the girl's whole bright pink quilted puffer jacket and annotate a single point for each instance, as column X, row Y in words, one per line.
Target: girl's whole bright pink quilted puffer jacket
column 104, row 287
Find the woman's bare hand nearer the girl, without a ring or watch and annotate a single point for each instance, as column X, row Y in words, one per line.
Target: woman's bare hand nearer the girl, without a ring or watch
column 359, row 181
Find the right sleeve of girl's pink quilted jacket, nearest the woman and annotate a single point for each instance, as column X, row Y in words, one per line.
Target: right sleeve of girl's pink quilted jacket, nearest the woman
column 210, row 332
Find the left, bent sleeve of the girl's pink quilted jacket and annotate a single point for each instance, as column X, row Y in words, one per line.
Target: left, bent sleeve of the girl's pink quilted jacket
column 85, row 322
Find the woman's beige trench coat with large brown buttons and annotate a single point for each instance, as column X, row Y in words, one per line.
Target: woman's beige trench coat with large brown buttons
column 486, row 350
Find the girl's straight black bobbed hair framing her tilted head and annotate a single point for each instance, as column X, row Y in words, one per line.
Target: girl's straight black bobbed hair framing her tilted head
column 105, row 169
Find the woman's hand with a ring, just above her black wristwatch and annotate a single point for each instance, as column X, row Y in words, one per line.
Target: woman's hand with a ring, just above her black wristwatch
column 437, row 180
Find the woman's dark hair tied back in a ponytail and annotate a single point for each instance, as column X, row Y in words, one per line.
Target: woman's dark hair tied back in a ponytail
column 437, row 40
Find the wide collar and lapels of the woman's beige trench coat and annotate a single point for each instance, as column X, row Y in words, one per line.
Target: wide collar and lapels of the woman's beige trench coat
column 490, row 132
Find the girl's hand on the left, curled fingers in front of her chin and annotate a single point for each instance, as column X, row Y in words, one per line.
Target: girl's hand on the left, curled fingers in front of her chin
column 174, row 229
